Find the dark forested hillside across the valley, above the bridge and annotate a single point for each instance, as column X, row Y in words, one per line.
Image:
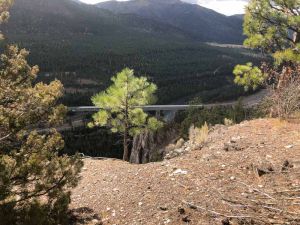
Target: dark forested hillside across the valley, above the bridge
column 84, row 46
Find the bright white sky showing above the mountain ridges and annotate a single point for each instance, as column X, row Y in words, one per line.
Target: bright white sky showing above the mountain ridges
column 227, row 7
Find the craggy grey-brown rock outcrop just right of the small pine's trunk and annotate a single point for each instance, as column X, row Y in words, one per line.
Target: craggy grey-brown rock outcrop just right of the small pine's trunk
column 150, row 146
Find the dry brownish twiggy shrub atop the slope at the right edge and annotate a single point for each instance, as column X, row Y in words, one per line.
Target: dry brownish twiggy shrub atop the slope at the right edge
column 283, row 102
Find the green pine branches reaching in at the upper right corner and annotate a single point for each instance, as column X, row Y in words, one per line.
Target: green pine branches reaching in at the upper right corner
column 273, row 26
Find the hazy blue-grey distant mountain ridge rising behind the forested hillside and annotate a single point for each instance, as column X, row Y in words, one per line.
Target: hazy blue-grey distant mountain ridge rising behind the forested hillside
column 201, row 23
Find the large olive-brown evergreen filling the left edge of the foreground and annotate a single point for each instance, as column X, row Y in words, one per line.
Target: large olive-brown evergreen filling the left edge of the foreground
column 34, row 179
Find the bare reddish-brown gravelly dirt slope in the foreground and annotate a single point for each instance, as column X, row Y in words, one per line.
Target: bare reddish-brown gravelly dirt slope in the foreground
column 193, row 188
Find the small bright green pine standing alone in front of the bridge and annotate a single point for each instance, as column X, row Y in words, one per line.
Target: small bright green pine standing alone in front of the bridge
column 120, row 106
